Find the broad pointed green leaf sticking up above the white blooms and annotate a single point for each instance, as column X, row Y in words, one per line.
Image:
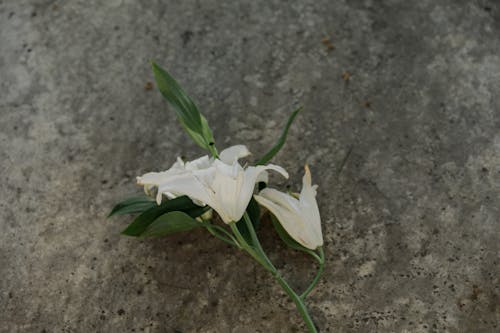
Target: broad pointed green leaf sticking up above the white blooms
column 191, row 119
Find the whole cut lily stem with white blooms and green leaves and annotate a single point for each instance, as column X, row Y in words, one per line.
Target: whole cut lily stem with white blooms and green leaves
column 189, row 192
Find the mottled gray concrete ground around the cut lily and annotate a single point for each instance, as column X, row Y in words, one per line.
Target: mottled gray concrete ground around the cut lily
column 401, row 130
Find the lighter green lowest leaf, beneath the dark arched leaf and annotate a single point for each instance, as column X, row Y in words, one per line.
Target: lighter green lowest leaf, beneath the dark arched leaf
column 170, row 223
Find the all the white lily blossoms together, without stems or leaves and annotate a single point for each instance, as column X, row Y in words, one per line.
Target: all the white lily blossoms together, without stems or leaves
column 227, row 187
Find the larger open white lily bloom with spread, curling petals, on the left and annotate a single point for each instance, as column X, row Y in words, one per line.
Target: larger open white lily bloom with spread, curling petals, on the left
column 223, row 183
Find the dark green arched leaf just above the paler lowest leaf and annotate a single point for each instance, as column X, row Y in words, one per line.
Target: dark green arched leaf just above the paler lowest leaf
column 141, row 222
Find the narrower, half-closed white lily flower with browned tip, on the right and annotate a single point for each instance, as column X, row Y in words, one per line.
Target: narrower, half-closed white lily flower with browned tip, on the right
column 299, row 217
